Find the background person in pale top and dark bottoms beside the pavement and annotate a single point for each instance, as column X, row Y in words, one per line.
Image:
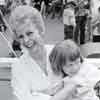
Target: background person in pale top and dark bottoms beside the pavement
column 69, row 20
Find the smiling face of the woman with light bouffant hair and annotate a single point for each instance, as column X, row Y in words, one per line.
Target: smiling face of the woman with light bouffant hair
column 28, row 35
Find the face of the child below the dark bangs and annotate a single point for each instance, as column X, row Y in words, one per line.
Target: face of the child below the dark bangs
column 72, row 67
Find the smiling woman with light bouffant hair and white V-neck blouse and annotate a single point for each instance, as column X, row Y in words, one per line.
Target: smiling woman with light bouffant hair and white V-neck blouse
column 29, row 73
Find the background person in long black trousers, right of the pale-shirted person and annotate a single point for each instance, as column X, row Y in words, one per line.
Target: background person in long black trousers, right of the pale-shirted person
column 81, row 18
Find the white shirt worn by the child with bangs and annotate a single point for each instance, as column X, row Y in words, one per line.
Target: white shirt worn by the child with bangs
column 86, row 79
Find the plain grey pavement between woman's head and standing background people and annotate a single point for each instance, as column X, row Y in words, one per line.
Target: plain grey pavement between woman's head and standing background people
column 54, row 30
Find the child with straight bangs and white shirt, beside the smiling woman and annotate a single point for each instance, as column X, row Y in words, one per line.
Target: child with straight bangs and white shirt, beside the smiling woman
column 78, row 76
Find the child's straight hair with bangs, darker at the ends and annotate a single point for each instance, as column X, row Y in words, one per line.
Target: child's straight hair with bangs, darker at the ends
column 63, row 52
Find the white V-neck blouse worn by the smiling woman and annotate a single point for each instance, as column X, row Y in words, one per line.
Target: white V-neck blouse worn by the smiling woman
column 28, row 78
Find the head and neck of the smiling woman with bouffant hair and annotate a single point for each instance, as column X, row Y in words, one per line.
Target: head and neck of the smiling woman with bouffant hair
column 28, row 26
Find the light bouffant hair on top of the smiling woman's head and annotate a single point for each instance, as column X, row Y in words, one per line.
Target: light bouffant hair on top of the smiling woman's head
column 21, row 13
